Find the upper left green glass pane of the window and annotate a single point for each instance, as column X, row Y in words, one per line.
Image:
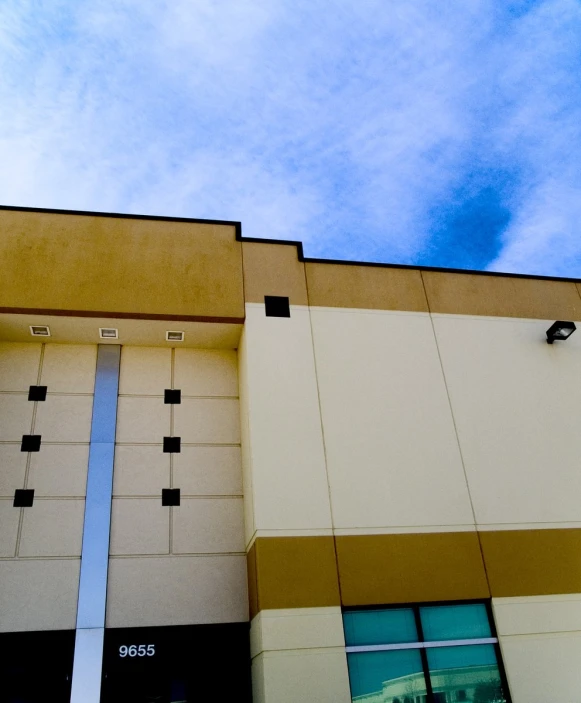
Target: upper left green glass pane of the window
column 379, row 626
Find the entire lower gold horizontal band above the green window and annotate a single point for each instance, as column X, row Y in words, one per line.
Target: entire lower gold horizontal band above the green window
column 351, row 570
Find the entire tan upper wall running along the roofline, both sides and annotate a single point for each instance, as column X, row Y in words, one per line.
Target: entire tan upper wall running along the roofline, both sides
column 187, row 269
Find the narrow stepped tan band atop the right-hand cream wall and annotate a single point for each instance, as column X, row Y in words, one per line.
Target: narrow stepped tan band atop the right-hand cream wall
column 275, row 269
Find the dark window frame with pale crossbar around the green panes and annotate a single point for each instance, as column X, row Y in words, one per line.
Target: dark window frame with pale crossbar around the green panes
column 421, row 641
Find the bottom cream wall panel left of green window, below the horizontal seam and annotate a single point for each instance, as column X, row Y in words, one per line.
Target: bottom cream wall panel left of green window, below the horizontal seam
column 306, row 675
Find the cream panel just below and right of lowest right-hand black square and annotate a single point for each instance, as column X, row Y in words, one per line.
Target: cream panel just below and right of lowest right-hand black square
column 206, row 525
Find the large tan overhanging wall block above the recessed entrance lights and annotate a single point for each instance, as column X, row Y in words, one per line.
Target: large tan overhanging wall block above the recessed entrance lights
column 111, row 264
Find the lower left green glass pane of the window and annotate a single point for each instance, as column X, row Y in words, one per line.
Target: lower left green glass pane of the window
column 394, row 677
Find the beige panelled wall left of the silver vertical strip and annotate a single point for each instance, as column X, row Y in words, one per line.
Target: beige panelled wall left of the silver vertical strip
column 41, row 545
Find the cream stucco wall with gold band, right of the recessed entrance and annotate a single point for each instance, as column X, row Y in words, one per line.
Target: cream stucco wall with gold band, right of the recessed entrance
column 449, row 453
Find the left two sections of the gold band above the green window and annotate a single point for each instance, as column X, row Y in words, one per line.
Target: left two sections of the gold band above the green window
column 303, row 572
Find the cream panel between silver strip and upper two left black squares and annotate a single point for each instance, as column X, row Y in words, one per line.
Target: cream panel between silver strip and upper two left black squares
column 64, row 418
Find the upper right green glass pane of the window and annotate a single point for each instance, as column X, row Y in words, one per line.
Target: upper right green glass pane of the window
column 455, row 622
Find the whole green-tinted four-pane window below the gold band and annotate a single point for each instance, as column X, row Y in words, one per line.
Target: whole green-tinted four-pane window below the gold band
column 393, row 660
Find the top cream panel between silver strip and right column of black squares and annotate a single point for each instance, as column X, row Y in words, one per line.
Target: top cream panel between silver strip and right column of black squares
column 144, row 371
